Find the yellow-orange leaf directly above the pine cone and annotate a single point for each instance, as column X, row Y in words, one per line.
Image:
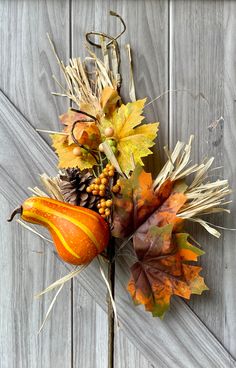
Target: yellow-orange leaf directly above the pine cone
column 65, row 154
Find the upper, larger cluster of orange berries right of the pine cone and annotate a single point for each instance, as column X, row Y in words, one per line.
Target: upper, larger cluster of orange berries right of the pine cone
column 99, row 185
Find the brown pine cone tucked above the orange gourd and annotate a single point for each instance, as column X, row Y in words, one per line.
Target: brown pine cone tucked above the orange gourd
column 73, row 184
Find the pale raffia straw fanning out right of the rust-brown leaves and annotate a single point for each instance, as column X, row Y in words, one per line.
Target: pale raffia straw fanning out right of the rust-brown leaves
column 202, row 197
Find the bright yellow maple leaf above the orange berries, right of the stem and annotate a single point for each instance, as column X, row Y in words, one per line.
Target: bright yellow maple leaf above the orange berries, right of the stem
column 133, row 140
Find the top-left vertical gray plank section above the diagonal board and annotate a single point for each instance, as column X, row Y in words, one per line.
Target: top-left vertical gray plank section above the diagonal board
column 27, row 61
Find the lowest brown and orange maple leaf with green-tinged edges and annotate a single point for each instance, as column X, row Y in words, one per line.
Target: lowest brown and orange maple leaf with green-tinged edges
column 161, row 271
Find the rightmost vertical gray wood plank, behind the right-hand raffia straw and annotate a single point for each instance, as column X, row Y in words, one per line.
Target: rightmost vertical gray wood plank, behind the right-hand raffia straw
column 202, row 64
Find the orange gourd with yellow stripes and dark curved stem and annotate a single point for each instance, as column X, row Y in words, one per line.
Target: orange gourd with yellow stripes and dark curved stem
column 79, row 234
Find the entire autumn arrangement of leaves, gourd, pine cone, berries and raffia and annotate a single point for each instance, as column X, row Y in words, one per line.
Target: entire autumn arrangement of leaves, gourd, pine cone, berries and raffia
column 109, row 139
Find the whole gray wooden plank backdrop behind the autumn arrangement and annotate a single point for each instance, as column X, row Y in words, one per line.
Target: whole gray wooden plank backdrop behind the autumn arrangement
column 188, row 46
